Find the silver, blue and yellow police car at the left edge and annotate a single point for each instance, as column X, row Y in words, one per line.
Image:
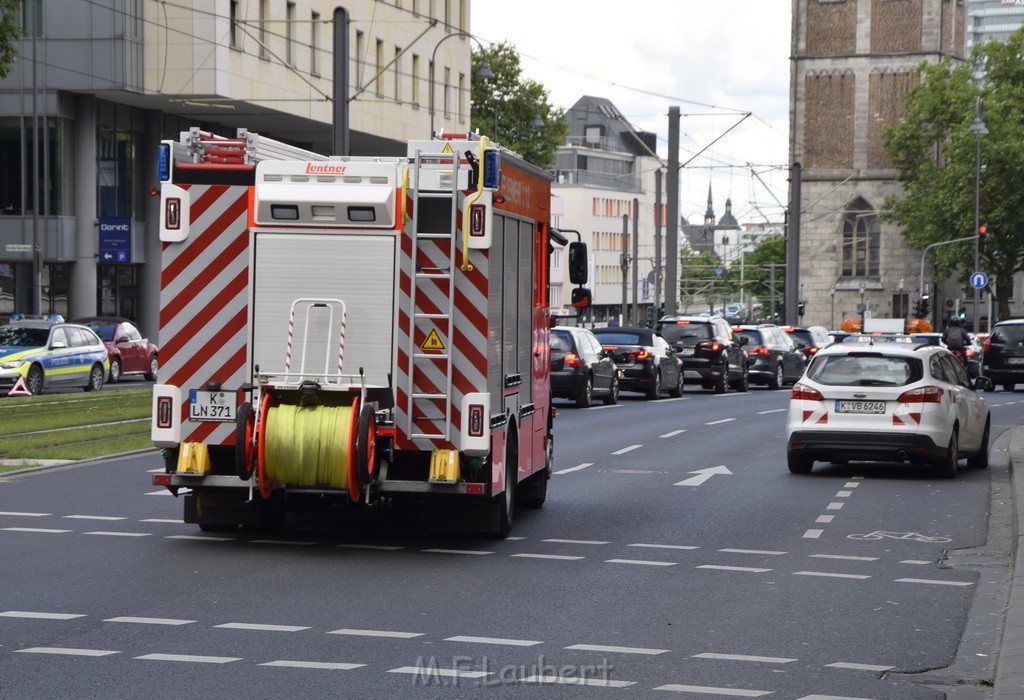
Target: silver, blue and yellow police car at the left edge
column 45, row 353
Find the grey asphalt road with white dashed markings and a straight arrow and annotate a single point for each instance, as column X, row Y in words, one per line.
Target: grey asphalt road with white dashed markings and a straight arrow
column 675, row 554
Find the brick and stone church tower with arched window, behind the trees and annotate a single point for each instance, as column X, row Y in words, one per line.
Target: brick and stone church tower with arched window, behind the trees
column 854, row 64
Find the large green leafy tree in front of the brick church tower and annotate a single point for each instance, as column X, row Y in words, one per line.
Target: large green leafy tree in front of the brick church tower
column 933, row 151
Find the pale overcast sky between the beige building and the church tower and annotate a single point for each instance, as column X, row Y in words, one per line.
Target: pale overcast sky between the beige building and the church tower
column 716, row 60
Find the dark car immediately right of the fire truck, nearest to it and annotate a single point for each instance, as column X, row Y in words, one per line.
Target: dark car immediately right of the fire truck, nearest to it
column 581, row 369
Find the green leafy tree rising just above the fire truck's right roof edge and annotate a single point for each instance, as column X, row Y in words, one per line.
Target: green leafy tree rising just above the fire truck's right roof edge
column 506, row 106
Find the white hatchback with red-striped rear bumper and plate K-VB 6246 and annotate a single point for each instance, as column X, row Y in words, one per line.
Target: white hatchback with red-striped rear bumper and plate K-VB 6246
column 887, row 403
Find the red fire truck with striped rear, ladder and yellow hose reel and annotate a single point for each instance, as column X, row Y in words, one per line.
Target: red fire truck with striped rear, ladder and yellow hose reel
column 354, row 331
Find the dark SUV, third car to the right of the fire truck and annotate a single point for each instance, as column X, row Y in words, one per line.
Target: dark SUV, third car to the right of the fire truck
column 711, row 353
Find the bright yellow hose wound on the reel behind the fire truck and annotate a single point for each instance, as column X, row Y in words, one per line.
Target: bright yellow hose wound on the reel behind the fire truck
column 310, row 446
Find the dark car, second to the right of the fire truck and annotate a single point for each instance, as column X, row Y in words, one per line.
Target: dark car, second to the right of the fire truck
column 648, row 363
